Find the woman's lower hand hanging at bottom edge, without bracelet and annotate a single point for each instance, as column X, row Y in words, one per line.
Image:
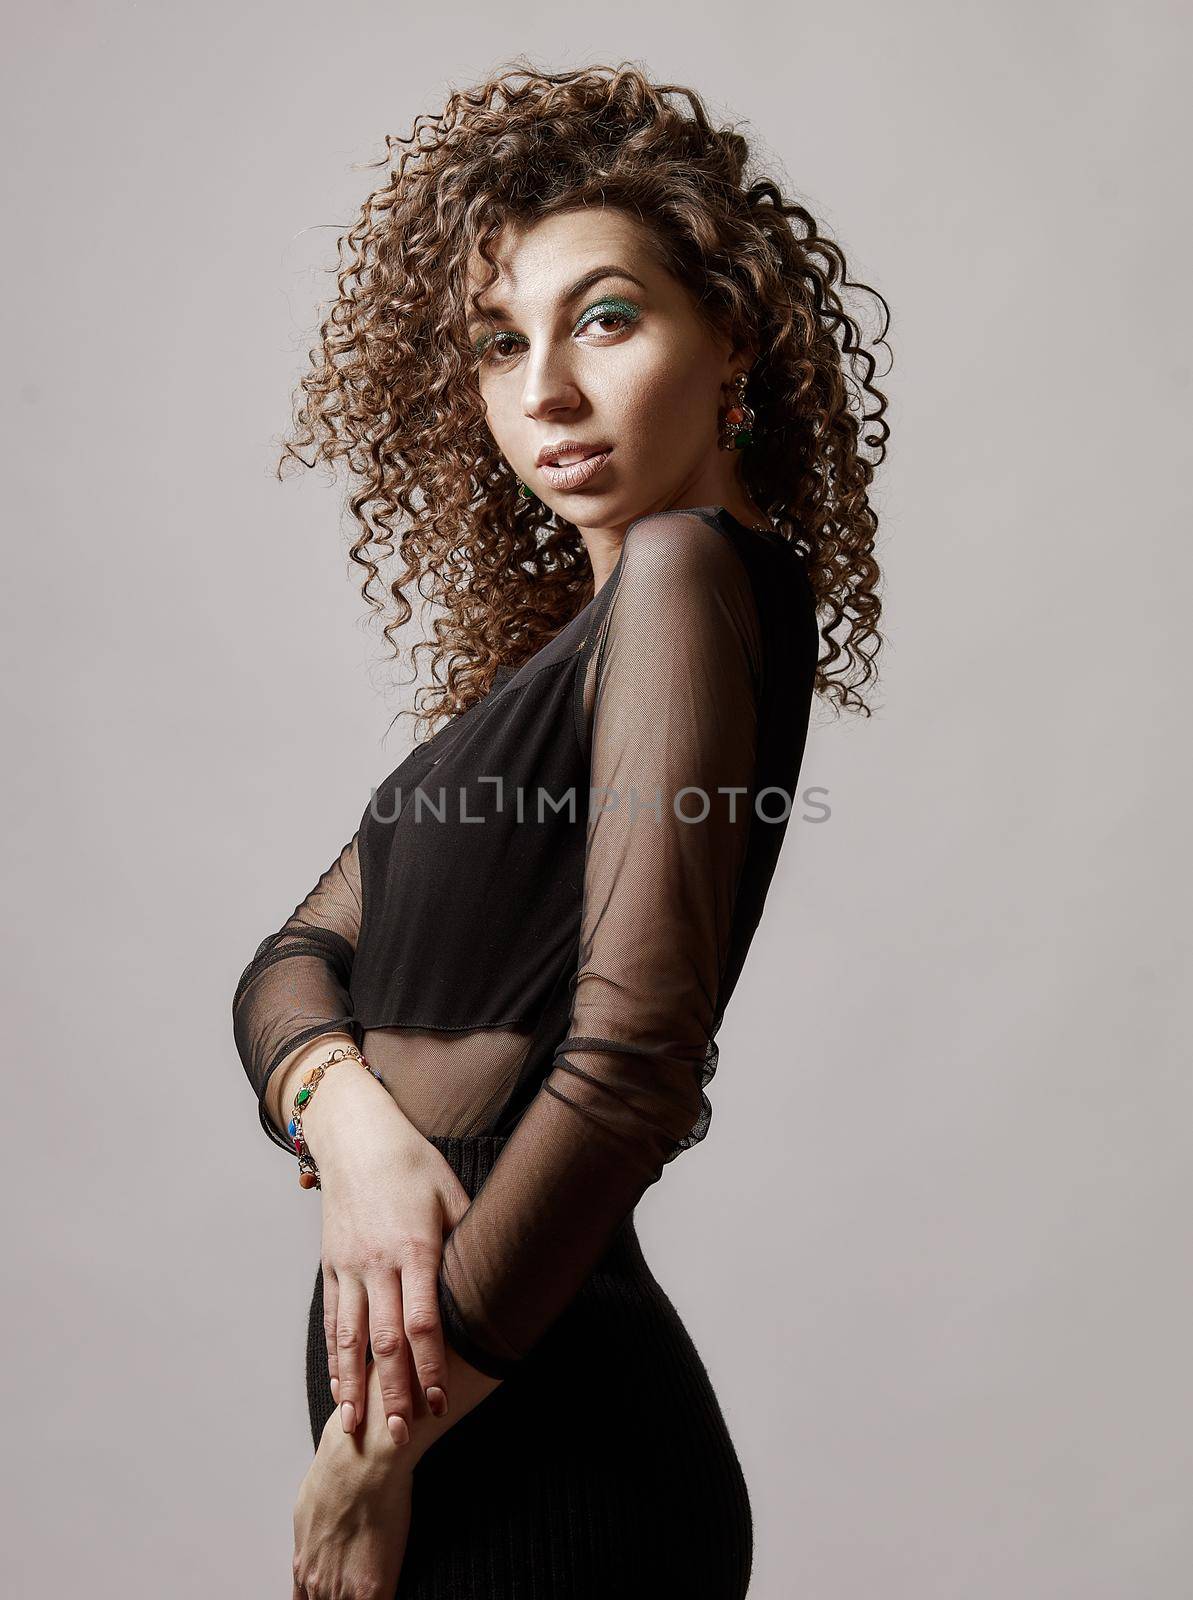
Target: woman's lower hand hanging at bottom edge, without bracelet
column 353, row 1514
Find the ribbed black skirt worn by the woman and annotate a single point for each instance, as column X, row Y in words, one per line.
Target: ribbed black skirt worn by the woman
column 602, row 1470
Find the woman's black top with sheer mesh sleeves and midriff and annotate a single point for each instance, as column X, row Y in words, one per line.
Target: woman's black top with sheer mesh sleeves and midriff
column 541, row 918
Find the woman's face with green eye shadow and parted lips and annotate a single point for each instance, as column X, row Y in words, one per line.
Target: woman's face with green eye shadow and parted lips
column 594, row 343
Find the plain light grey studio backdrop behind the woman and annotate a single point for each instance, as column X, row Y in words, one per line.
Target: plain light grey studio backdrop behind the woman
column 936, row 1247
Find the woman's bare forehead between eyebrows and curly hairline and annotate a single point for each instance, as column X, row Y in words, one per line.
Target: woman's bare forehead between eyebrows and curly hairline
column 548, row 255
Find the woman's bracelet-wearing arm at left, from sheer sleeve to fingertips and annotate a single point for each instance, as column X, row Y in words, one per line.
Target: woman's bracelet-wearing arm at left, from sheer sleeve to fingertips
column 388, row 1194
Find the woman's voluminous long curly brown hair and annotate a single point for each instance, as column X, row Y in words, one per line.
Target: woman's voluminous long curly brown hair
column 393, row 383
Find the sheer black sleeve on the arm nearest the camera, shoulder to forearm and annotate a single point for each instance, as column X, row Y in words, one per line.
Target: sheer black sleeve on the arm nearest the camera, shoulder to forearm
column 672, row 761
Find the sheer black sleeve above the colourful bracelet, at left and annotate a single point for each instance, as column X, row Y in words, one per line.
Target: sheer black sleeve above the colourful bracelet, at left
column 297, row 986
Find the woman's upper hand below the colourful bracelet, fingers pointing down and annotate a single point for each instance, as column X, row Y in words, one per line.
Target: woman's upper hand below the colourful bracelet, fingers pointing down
column 389, row 1201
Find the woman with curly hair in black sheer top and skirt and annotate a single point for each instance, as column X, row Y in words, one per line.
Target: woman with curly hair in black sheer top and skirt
column 605, row 388
